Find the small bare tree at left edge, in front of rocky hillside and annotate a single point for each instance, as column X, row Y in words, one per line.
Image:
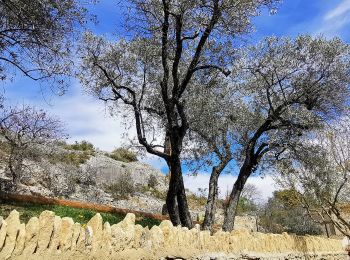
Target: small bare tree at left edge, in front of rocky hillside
column 28, row 133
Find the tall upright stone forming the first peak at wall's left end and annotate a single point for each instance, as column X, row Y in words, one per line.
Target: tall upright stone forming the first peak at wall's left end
column 13, row 224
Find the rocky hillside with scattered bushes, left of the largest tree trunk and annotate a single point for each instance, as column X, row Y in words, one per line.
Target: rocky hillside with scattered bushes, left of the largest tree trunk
column 92, row 176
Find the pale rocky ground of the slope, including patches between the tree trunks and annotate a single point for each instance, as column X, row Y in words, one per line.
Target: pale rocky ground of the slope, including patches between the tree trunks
column 89, row 182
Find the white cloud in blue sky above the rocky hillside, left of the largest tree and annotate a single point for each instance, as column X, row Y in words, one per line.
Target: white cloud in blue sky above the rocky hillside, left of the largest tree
column 85, row 117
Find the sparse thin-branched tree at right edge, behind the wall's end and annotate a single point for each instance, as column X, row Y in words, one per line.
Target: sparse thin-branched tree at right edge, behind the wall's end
column 319, row 170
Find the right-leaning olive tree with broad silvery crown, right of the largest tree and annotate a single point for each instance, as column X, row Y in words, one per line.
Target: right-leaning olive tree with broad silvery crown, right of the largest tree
column 289, row 87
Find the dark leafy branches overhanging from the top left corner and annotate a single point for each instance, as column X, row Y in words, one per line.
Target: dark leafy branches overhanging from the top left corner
column 36, row 38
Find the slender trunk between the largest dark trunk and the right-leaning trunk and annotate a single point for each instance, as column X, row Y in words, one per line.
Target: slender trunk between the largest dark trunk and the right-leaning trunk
column 213, row 193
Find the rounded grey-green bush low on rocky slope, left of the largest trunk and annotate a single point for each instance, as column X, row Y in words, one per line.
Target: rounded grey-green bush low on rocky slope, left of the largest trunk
column 122, row 188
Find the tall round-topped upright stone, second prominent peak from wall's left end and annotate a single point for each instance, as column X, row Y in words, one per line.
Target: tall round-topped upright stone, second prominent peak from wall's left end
column 46, row 223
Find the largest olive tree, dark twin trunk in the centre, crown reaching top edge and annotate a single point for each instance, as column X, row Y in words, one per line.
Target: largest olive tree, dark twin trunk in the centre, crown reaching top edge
column 174, row 47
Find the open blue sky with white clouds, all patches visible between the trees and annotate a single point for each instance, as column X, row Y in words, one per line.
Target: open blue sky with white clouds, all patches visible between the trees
column 87, row 119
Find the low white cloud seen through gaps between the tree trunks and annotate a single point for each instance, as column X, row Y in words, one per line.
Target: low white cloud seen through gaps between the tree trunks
column 264, row 185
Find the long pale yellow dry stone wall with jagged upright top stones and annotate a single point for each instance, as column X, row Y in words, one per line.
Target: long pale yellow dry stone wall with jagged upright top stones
column 53, row 237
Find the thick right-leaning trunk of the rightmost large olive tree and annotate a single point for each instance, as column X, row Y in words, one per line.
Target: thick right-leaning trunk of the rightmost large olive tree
column 231, row 209
